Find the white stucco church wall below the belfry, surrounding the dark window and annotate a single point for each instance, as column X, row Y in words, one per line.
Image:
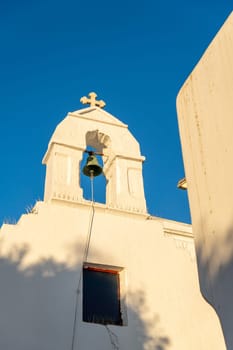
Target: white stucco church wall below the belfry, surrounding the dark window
column 41, row 258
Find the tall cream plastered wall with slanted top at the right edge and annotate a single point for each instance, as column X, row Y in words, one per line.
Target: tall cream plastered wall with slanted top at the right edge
column 205, row 107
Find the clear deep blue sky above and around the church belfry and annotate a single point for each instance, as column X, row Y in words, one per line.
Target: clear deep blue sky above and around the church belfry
column 134, row 54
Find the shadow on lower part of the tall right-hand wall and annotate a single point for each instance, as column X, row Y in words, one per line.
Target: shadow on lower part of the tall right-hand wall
column 215, row 265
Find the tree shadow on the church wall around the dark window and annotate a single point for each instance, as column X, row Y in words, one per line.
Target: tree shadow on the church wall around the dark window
column 37, row 312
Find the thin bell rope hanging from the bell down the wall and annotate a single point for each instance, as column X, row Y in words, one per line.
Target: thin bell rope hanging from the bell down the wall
column 85, row 256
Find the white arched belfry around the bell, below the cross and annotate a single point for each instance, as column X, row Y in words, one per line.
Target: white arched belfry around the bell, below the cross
column 122, row 160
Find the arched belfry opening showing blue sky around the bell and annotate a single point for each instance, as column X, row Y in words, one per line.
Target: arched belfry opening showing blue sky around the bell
column 99, row 182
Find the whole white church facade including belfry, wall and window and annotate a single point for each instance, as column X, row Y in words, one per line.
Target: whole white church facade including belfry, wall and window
column 76, row 274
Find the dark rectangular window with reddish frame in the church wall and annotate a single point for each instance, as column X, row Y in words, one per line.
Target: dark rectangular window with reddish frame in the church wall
column 101, row 294
